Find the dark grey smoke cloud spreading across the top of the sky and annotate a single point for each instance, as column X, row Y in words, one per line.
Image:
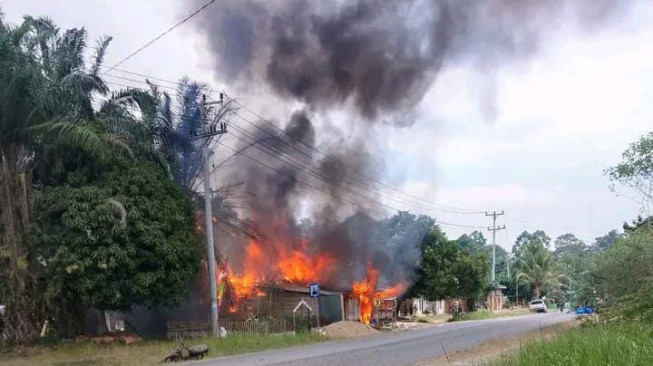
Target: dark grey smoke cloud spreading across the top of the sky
column 382, row 55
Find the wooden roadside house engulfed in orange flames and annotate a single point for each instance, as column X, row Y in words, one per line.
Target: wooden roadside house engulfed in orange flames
column 270, row 286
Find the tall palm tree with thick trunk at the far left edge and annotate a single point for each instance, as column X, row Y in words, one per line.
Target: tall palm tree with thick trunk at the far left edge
column 45, row 103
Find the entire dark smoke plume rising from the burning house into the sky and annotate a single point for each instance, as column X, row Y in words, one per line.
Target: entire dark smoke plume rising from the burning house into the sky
column 380, row 57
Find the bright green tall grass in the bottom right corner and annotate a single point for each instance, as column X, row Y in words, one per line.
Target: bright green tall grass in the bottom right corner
column 593, row 345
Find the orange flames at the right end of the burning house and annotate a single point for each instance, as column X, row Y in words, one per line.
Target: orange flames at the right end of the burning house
column 366, row 293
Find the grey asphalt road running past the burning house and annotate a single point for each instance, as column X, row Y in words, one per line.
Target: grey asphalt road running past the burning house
column 397, row 348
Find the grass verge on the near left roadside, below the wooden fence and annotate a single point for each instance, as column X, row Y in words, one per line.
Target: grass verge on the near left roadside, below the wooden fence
column 148, row 352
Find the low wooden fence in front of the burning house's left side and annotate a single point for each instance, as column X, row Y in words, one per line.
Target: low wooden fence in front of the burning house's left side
column 248, row 327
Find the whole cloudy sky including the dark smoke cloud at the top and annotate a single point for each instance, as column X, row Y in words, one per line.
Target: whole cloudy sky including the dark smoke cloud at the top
column 475, row 105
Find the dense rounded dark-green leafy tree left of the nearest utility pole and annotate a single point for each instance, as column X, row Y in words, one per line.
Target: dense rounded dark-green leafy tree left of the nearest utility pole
column 126, row 239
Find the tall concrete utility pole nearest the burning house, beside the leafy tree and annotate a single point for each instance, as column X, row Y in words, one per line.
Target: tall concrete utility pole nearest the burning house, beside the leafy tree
column 209, row 131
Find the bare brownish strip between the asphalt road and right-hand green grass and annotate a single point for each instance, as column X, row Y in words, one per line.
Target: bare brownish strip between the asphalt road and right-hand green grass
column 495, row 348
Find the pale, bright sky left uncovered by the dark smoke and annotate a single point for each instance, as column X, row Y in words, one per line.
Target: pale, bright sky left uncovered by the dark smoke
column 558, row 120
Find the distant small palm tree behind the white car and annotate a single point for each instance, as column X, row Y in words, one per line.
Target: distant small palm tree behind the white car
column 538, row 268
